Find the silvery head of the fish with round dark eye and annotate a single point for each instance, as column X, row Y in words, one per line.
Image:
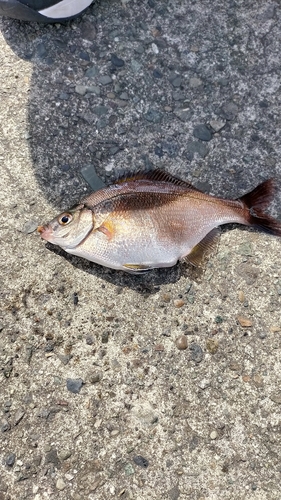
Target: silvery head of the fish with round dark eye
column 69, row 228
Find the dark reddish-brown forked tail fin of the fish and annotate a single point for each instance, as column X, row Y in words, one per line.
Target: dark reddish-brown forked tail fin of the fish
column 256, row 202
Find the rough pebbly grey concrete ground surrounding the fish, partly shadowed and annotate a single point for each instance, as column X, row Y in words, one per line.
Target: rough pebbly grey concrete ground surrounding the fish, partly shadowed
column 167, row 385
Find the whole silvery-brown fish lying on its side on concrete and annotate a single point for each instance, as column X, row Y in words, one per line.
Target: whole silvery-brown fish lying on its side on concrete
column 153, row 219
